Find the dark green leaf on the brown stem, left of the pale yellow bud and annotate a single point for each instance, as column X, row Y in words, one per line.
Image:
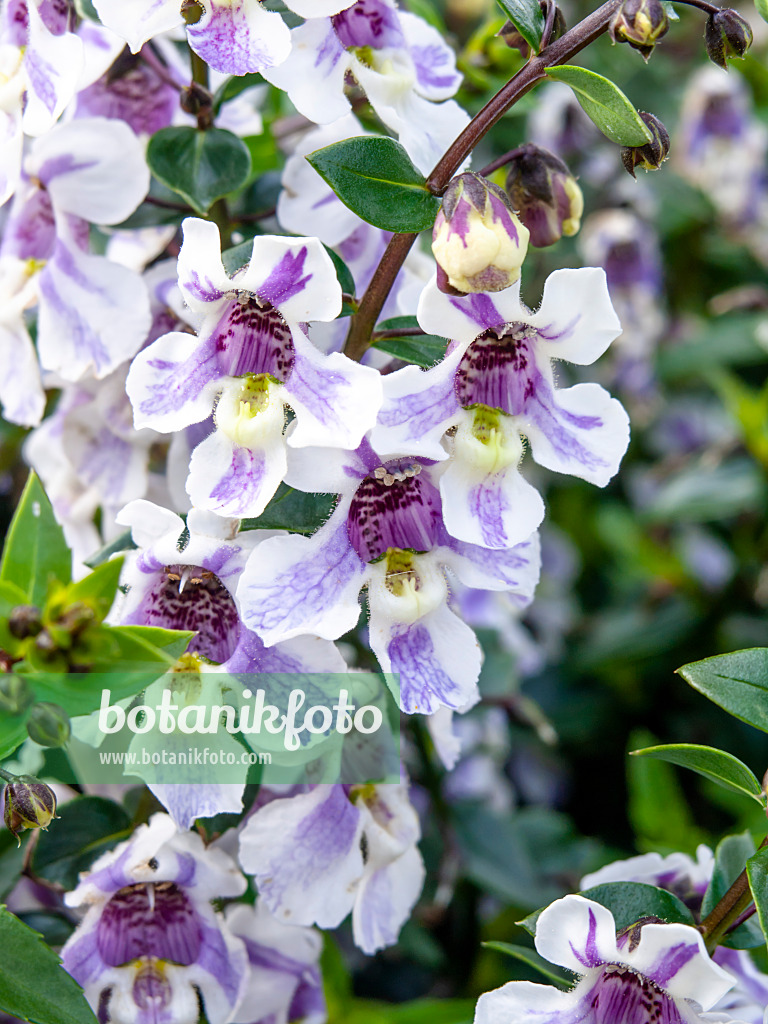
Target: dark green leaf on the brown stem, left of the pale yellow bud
column 375, row 178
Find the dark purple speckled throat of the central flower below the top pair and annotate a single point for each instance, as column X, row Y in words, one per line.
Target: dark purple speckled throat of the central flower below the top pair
column 395, row 507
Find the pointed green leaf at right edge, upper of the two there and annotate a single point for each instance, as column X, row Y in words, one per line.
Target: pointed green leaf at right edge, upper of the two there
column 737, row 682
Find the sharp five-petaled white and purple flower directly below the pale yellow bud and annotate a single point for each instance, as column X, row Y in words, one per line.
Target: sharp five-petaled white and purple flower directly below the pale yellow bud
column 496, row 385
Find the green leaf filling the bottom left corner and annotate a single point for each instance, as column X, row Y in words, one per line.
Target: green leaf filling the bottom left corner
column 33, row 985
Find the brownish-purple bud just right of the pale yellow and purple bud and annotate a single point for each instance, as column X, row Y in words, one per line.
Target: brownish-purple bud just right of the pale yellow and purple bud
column 545, row 195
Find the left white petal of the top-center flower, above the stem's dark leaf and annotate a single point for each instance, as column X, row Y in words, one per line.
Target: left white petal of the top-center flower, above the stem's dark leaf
column 314, row 74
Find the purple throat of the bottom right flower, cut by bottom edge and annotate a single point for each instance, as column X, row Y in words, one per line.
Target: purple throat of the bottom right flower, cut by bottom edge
column 621, row 997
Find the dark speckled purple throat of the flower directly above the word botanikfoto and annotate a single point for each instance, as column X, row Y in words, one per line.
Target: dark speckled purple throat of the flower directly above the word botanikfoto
column 189, row 598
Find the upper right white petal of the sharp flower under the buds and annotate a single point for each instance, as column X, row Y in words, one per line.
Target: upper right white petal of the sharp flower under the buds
column 577, row 321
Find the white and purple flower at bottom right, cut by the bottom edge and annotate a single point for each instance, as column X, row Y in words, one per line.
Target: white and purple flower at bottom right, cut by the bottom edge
column 652, row 972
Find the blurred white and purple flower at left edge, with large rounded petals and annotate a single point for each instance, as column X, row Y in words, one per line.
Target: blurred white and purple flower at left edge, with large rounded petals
column 93, row 315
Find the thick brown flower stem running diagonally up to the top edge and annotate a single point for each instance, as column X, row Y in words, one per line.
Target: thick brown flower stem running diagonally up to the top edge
column 362, row 326
